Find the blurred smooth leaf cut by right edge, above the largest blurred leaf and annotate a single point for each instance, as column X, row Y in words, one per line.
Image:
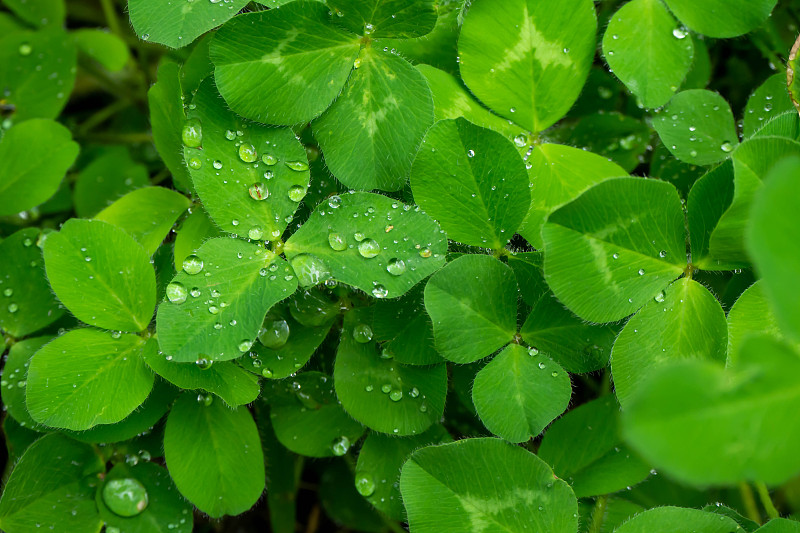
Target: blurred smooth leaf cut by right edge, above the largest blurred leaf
column 772, row 240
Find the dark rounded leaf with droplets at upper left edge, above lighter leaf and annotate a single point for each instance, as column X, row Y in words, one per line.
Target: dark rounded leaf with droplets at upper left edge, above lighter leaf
column 37, row 73
